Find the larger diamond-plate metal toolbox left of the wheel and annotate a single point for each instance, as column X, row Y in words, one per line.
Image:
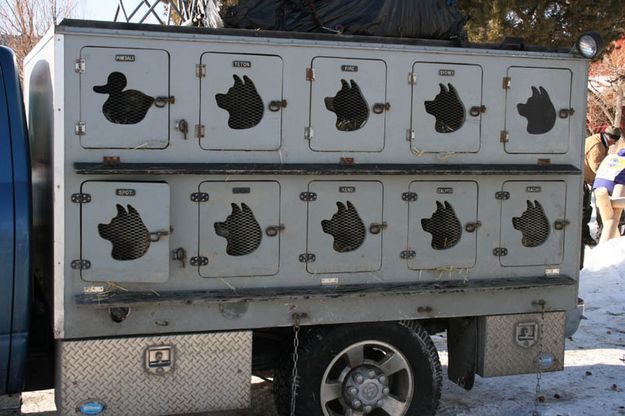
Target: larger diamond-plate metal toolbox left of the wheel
column 156, row 375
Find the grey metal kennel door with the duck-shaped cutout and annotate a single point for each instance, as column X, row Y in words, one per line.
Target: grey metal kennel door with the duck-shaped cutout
column 124, row 98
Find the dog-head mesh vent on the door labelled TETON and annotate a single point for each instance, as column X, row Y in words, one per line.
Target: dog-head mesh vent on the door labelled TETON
column 243, row 103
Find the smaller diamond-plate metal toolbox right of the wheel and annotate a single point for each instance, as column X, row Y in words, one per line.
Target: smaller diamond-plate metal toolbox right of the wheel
column 512, row 344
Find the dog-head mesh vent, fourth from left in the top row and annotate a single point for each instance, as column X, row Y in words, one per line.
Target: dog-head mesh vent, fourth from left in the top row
column 448, row 110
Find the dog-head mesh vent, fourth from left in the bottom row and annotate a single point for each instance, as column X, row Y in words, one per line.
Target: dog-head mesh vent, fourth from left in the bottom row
column 444, row 226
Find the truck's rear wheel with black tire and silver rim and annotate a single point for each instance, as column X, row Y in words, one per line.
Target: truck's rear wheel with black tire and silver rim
column 380, row 369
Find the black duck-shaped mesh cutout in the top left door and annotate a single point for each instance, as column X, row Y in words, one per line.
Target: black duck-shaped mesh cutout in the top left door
column 123, row 107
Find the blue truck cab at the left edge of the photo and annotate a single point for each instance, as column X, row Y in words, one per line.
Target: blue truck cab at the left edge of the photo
column 15, row 229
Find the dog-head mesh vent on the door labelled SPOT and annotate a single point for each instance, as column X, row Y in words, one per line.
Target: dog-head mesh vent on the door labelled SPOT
column 127, row 233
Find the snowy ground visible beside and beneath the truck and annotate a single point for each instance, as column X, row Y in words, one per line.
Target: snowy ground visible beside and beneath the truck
column 592, row 383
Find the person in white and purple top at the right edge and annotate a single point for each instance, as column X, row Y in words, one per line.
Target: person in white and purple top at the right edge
column 610, row 181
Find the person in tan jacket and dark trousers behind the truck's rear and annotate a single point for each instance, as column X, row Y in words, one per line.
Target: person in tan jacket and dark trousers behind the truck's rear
column 595, row 150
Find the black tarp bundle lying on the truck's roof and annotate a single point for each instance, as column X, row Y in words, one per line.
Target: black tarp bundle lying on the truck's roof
column 425, row 19
